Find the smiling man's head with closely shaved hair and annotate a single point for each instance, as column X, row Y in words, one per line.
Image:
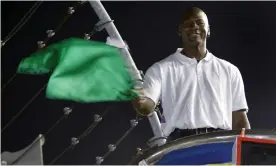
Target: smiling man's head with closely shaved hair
column 194, row 27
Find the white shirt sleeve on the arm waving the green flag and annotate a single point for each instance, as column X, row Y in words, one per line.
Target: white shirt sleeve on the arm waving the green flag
column 152, row 83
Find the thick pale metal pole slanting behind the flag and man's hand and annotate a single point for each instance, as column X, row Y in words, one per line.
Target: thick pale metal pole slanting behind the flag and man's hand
column 114, row 34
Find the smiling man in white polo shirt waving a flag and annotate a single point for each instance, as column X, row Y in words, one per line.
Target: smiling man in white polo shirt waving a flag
column 199, row 92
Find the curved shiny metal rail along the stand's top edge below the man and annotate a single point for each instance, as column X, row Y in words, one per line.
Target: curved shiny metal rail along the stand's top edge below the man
column 153, row 155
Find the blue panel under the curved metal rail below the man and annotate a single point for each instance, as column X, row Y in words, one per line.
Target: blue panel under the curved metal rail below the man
column 215, row 153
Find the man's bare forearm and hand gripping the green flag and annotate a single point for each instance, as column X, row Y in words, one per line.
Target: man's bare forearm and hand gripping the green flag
column 143, row 105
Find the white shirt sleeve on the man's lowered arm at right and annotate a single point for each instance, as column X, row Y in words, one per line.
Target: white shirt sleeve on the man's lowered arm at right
column 238, row 93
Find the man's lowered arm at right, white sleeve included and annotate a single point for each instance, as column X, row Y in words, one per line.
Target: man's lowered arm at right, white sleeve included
column 240, row 108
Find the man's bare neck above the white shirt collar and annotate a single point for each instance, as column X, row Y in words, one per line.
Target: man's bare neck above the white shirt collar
column 197, row 52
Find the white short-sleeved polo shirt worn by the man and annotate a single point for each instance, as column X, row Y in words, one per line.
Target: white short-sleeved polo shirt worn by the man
column 195, row 95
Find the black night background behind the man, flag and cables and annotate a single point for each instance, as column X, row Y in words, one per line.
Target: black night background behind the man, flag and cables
column 242, row 33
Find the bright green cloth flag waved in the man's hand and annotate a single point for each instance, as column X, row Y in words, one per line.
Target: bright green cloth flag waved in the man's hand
column 82, row 71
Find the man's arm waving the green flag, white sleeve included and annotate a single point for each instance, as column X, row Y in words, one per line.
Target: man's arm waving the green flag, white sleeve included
column 150, row 92
